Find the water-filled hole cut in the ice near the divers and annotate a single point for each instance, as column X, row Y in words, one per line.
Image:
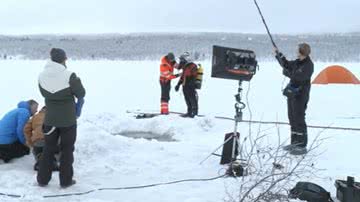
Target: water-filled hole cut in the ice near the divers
column 165, row 137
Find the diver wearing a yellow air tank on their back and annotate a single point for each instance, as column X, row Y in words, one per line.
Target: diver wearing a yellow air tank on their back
column 188, row 82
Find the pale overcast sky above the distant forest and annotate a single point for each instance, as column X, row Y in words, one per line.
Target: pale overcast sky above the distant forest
column 118, row 16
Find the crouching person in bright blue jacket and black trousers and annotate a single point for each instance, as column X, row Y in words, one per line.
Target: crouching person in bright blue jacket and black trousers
column 12, row 139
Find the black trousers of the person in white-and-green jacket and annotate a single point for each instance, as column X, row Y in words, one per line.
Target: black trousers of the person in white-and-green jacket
column 67, row 137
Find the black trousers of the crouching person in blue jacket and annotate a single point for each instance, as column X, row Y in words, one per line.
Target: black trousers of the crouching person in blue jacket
column 14, row 150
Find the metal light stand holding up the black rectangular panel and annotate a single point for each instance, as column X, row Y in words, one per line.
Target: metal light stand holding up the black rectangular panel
column 239, row 106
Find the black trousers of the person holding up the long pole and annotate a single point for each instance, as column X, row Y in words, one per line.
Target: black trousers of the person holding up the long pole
column 296, row 113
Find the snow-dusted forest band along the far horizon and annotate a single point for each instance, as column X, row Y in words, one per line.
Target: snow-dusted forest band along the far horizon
column 148, row 46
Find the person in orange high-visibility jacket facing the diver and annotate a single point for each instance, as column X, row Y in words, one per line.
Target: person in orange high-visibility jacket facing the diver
column 168, row 63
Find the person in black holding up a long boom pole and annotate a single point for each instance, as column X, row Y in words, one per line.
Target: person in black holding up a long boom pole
column 298, row 93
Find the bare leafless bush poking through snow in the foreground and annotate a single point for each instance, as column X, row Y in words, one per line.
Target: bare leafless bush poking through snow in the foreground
column 271, row 172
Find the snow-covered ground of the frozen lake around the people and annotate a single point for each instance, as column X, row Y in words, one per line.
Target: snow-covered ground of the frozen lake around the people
column 105, row 159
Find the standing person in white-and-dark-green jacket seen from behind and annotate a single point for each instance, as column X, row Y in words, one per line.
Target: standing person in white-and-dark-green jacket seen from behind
column 59, row 87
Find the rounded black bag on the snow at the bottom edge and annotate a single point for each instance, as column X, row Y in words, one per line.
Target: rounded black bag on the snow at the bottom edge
column 310, row 192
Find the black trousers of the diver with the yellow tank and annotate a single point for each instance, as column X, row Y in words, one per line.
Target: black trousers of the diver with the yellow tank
column 191, row 99
